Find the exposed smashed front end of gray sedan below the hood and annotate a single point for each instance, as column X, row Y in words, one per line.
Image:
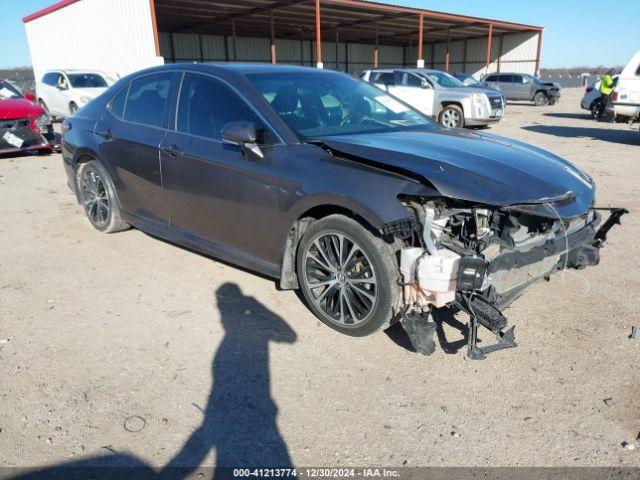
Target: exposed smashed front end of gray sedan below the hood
column 480, row 259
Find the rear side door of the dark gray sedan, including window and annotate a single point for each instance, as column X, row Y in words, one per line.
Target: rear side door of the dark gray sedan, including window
column 130, row 134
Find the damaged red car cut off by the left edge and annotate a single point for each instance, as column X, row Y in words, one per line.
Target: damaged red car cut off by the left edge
column 24, row 125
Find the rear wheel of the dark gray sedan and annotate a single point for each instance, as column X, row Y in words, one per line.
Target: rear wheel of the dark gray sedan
column 98, row 198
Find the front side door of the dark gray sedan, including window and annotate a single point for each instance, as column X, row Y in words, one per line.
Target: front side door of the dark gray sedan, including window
column 217, row 191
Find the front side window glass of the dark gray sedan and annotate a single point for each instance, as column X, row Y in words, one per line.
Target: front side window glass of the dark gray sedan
column 206, row 105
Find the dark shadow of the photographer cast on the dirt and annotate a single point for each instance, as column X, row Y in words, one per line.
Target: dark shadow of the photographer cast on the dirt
column 240, row 416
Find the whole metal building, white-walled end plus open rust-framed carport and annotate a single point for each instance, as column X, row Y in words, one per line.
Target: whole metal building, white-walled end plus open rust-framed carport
column 122, row 36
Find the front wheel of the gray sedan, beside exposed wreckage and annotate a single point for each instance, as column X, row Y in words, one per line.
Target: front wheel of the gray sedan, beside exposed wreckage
column 348, row 276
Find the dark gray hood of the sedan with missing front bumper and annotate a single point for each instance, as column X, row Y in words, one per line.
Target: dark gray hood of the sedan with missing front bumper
column 474, row 166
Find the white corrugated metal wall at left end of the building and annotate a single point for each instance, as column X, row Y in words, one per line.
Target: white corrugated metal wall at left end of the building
column 115, row 37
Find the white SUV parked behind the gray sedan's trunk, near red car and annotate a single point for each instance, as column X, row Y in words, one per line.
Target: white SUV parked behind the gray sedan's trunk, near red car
column 62, row 92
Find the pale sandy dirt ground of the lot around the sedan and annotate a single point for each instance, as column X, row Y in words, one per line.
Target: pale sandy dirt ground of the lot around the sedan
column 126, row 347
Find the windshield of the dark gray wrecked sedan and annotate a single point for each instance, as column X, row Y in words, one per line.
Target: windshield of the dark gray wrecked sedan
column 326, row 103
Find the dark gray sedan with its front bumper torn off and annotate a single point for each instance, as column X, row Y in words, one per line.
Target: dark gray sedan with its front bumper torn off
column 323, row 181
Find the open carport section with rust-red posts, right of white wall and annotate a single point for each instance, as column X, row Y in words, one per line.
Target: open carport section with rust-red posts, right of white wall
column 343, row 34
